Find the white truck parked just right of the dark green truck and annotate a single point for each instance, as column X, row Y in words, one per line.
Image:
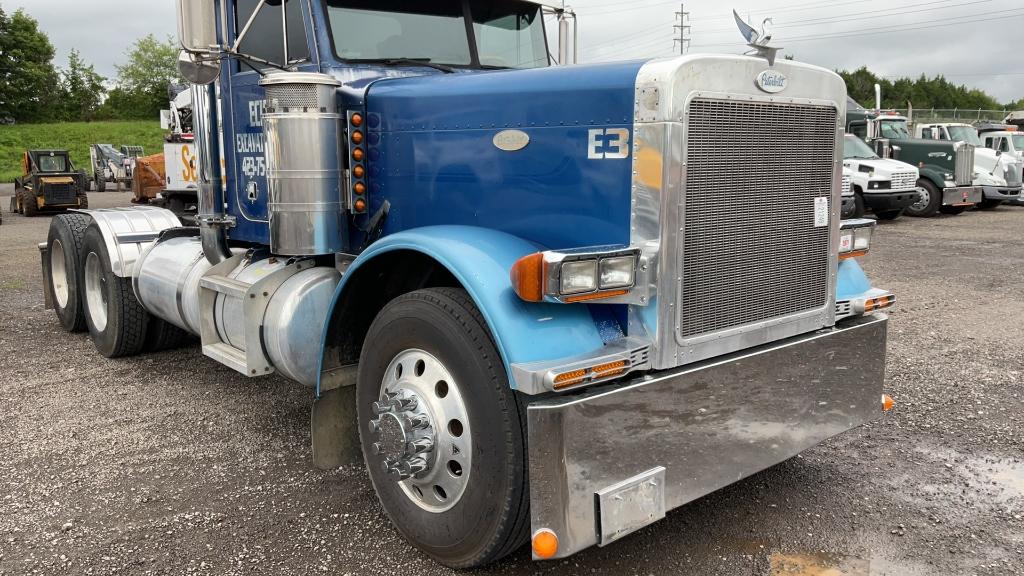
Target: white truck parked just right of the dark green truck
column 999, row 176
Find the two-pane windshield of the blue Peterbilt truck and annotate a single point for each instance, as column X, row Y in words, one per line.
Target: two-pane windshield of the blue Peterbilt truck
column 508, row 34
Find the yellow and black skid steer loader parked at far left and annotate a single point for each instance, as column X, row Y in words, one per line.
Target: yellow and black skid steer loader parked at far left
column 51, row 184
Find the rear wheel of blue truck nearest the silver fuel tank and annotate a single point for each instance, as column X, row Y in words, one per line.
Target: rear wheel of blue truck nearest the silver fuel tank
column 116, row 319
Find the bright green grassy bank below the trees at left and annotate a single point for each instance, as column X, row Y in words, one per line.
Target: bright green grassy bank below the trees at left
column 74, row 137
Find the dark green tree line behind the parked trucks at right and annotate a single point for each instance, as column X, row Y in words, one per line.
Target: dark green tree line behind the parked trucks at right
column 922, row 94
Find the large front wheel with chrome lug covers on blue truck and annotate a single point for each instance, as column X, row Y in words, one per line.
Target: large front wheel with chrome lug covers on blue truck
column 429, row 358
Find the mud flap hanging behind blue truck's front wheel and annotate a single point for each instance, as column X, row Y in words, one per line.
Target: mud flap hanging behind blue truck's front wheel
column 334, row 431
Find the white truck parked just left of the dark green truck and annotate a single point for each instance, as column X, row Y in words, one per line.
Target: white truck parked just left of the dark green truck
column 887, row 187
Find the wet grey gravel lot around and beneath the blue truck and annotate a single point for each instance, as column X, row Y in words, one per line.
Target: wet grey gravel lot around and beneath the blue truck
column 174, row 465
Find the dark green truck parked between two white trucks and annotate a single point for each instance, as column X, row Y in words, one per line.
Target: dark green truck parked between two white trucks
column 946, row 169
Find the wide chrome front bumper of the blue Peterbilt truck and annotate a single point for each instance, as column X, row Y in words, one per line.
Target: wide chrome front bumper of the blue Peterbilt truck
column 611, row 461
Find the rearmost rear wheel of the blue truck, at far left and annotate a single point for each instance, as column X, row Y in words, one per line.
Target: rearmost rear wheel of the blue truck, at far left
column 65, row 280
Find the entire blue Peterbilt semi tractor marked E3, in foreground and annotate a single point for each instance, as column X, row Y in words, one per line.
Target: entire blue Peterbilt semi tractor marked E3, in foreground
column 543, row 304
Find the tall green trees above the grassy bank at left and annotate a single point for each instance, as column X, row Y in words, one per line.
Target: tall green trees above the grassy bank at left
column 33, row 90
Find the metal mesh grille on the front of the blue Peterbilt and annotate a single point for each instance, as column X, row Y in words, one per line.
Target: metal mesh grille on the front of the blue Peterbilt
column 751, row 251
